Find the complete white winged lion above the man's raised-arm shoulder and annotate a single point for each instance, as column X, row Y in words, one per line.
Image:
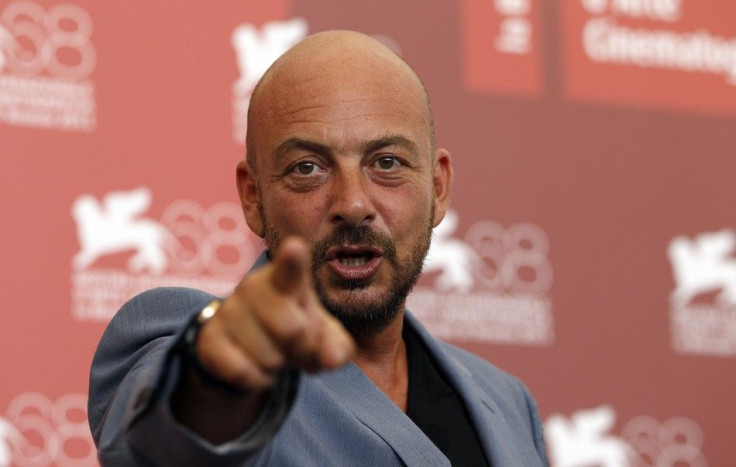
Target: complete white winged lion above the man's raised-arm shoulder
column 112, row 227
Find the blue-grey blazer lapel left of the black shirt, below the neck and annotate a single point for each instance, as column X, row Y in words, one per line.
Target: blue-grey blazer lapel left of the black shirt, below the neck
column 377, row 412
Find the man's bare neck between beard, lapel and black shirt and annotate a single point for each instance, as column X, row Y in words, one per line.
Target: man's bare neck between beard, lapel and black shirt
column 381, row 355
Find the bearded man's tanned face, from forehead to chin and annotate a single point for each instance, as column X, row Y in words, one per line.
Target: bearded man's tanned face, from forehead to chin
column 348, row 166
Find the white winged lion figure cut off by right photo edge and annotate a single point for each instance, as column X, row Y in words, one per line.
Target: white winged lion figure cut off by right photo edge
column 702, row 265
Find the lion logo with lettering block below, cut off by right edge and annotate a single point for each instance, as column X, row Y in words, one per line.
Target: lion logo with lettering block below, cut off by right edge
column 703, row 303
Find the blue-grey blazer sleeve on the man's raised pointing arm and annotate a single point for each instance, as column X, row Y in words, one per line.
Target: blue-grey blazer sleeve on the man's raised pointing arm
column 134, row 372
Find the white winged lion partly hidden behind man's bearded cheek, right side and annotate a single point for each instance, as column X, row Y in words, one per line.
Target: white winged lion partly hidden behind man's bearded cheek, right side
column 455, row 260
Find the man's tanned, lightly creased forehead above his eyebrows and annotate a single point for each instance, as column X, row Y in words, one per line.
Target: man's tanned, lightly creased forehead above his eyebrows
column 338, row 102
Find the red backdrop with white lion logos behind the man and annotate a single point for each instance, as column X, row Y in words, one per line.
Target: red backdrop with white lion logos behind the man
column 590, row 249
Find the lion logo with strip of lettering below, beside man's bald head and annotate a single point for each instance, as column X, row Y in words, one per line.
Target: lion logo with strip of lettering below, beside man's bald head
column 256, row 49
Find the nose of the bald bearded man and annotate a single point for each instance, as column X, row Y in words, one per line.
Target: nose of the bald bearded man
column 351, row 202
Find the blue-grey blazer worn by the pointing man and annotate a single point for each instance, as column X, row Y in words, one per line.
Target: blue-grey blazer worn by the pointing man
column 333, row 418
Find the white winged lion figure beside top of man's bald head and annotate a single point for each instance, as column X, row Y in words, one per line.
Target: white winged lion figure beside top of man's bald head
column 257, row 50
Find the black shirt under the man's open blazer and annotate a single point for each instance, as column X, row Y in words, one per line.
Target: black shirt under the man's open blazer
column 435, row 407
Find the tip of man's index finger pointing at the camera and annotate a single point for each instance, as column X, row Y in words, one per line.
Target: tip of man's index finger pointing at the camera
column 291, row 266
